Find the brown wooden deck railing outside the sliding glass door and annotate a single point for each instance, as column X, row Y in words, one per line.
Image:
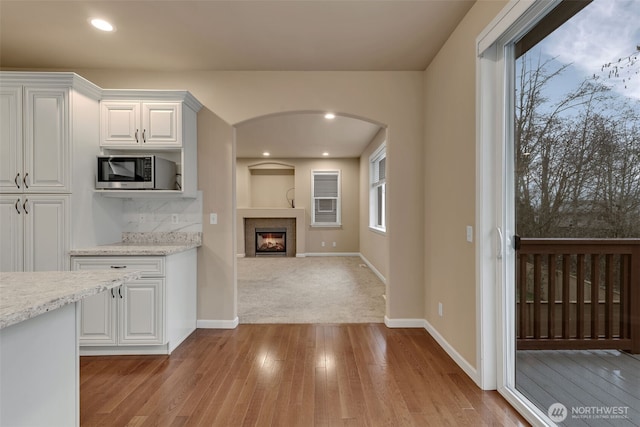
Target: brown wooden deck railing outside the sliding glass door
column 578, row 294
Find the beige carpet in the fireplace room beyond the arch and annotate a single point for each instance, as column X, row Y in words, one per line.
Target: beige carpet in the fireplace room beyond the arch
column 308, row 290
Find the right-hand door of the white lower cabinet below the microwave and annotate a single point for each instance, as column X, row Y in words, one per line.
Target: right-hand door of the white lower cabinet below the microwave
column 141, row 312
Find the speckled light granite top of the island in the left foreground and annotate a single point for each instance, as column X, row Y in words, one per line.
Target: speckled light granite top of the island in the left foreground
column 29, row 294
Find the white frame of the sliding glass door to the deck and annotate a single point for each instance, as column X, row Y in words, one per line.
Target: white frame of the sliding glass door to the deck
column 495, row 210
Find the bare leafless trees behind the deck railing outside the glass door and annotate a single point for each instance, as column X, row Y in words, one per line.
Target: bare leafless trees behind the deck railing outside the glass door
column 577, row 157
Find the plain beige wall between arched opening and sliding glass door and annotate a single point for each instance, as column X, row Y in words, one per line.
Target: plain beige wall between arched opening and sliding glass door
column 450, row 192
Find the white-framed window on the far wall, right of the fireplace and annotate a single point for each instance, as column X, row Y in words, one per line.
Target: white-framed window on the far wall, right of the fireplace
column 325, row 198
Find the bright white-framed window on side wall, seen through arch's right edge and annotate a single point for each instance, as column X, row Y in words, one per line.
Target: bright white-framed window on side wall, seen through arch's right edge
column 378, row 189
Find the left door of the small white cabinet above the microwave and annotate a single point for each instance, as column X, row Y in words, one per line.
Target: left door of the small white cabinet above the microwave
column 120, row 123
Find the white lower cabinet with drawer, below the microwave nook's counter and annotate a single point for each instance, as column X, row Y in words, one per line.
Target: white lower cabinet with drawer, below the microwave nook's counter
column 150, row 315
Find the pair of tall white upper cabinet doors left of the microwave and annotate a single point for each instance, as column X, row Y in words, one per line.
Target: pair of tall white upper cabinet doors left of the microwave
column 34, row 140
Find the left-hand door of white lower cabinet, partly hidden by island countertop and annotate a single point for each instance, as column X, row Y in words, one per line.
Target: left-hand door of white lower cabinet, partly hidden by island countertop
column 98, row 318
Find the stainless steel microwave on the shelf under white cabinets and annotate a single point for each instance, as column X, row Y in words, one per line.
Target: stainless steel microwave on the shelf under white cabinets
column 135, row 172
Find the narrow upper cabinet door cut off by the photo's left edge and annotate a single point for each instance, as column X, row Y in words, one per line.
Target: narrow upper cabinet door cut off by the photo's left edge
column 10, row 139
